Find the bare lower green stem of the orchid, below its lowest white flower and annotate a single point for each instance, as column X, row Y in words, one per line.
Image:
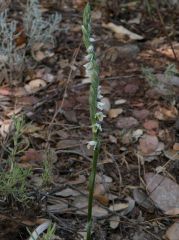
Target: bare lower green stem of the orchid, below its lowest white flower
column 91, row 190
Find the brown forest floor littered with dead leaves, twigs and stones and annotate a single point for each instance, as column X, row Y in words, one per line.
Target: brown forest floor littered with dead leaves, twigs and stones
column 137, row 177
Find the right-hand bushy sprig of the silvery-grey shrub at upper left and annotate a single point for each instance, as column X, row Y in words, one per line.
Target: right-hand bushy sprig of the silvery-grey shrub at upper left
column 36, row 27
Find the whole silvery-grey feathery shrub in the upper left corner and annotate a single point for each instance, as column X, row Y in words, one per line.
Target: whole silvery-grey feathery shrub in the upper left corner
column 37, row 29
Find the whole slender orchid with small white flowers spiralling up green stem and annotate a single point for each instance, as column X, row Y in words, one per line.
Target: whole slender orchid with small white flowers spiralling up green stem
column 96, row 107
